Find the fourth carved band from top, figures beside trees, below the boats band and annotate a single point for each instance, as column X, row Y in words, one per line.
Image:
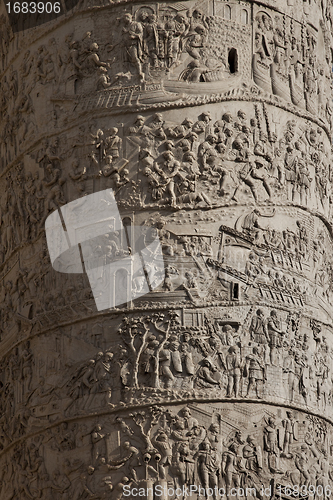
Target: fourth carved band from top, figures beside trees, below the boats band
column 270, row 355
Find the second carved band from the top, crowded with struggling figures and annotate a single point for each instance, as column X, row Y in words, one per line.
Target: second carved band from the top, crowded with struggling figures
column 207, row 163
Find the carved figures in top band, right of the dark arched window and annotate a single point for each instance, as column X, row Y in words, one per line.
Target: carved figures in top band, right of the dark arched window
column 285, row 63
